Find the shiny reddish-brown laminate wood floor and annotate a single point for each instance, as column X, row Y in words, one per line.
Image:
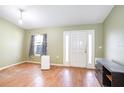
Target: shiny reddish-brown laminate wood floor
column 30, row 75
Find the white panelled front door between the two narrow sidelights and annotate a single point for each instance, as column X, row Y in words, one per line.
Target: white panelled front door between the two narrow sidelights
column 78, row 49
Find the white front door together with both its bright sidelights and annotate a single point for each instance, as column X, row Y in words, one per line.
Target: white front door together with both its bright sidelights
column 78, row 49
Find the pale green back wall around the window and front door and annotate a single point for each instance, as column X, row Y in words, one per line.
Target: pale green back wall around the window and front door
column 55, row 40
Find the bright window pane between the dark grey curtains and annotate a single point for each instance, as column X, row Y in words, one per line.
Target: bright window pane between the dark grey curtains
column 38, row 44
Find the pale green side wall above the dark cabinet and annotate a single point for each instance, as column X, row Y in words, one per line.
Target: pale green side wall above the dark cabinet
column 114, row 35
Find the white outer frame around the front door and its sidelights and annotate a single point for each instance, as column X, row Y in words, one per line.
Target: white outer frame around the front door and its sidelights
column 93, row 55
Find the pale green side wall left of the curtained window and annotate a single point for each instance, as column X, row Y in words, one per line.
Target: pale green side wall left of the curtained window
column 11, row 43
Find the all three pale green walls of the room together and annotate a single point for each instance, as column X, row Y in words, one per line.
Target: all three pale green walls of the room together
column 14, row 41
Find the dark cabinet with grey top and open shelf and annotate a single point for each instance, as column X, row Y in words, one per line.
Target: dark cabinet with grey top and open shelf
column 109, row 73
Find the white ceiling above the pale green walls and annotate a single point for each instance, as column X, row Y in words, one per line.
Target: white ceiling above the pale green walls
column 37, row 16
